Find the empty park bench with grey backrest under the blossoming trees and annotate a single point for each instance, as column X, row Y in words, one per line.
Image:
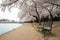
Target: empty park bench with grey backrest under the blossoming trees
column 46, row 26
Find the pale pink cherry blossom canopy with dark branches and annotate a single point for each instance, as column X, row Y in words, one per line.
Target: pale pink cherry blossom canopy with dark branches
column 33, row 9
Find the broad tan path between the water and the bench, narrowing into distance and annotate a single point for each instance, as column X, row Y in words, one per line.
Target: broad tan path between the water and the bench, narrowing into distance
column 26, row 32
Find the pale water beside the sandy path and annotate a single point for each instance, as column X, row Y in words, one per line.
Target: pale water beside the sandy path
column 6, row 27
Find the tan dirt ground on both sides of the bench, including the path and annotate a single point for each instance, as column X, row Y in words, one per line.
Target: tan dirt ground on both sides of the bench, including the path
column 27, row 32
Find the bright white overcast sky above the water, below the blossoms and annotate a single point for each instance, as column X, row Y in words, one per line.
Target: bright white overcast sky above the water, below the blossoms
column 13, row 15
